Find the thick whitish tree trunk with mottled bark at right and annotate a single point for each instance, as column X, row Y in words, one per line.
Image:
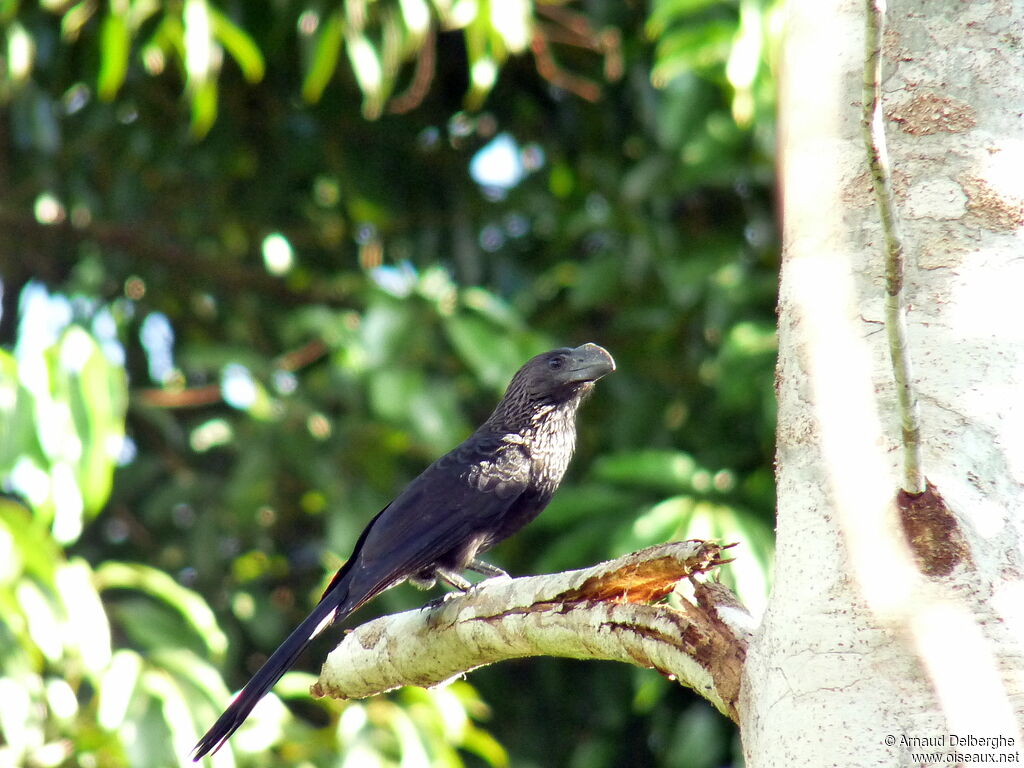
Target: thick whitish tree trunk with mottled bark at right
column 878, row 647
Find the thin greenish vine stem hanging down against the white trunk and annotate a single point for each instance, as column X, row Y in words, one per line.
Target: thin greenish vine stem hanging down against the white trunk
column 878, row 155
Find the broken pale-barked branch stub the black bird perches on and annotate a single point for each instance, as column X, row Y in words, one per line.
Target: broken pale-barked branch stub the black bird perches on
column 600, row 613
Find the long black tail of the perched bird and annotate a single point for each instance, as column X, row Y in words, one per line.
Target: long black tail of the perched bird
column 334, row 607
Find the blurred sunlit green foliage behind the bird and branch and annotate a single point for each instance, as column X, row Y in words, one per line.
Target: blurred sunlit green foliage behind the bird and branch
column 263, row 263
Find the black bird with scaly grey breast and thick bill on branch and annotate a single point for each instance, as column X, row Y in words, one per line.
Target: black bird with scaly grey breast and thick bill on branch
column 487, row 489
